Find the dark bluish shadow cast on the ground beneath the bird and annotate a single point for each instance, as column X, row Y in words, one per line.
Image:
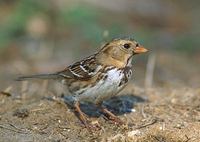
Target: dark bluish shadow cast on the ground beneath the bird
column 118, row 105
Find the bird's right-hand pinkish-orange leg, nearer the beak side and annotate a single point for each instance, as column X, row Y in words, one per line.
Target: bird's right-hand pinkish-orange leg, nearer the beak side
column 111, row 116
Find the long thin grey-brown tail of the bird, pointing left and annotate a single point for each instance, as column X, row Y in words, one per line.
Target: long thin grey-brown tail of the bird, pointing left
column 38, row 76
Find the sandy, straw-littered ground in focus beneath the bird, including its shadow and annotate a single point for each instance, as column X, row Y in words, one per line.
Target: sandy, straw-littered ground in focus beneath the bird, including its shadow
column 172, row 116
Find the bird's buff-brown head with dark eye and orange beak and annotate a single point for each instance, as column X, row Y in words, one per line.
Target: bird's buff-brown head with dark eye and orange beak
column 120, row 51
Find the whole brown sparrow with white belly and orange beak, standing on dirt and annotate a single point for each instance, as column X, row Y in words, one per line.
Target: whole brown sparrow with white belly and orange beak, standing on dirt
column 97, row 77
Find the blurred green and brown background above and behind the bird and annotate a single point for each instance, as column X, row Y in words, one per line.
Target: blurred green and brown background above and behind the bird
column 38, row 36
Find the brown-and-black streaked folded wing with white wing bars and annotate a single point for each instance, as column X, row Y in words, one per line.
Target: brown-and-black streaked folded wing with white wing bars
column 82, row 70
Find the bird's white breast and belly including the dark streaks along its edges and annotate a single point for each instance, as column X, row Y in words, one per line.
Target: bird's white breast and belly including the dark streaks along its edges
column 108, row 84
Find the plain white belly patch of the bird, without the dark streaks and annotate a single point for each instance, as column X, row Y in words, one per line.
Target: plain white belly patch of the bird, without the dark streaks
column 104, row 88
